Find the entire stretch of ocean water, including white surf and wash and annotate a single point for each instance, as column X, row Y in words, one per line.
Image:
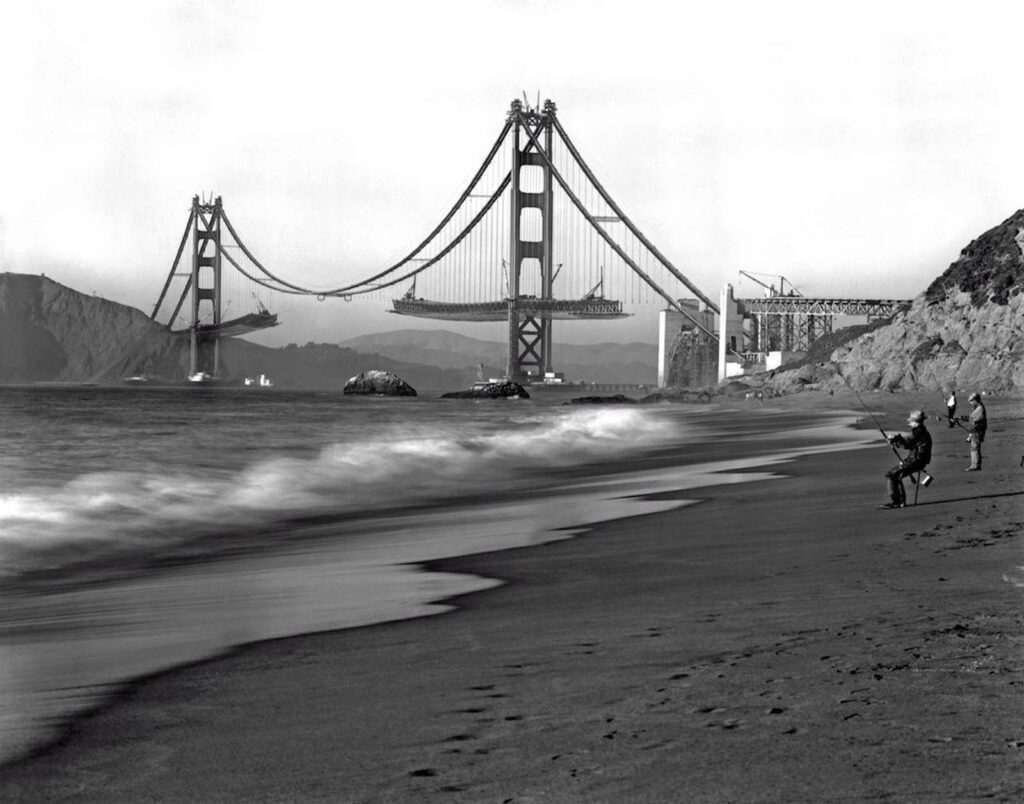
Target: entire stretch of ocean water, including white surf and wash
column 142, row 529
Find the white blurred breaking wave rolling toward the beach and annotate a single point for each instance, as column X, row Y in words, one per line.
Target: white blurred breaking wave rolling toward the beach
column 145, row 511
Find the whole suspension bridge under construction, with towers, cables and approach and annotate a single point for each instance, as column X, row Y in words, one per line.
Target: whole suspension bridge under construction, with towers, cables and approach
column 535, row 238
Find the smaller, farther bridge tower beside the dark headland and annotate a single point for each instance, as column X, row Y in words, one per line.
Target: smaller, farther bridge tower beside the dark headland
column 206, row 264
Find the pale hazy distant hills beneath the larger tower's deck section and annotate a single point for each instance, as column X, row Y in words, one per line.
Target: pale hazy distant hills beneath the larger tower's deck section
column 625, row 363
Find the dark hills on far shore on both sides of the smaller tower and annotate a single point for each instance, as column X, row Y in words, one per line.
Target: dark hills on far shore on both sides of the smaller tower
column 51, row 333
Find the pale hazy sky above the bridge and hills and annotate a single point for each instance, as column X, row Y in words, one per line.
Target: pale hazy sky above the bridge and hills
column 854, row 148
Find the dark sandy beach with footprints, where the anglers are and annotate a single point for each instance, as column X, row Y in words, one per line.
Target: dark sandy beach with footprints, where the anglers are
column 781, row 641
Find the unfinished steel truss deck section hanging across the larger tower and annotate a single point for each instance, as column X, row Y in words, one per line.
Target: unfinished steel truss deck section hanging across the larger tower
column 558, row 310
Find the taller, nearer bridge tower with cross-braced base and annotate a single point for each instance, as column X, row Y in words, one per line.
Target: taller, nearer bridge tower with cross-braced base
column 532, row 211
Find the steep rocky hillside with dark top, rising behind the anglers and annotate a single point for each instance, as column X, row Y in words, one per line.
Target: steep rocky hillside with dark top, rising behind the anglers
column 965, row 331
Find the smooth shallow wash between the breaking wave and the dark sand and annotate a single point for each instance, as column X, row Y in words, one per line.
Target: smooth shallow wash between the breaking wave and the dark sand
column 318, row 579
